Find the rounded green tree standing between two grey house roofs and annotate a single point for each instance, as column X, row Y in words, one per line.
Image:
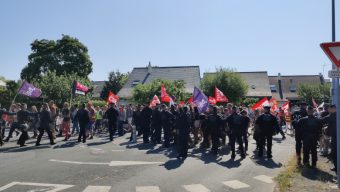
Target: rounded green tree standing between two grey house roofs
column 230, row 83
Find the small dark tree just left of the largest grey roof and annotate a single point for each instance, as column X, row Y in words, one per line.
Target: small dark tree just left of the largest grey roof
column 115, row 83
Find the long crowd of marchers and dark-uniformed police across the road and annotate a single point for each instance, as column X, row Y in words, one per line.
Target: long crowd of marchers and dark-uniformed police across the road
column 182, row 126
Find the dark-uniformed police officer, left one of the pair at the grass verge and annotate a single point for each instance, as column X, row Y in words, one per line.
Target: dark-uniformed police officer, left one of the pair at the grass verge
column 297, row 115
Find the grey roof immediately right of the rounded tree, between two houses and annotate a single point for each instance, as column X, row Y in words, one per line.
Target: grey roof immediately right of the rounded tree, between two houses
column 258, row 83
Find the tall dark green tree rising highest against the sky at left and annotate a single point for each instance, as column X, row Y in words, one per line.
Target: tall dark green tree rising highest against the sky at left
column 64, row 56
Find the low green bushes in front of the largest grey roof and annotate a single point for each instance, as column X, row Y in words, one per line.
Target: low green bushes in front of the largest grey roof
column 143, row 93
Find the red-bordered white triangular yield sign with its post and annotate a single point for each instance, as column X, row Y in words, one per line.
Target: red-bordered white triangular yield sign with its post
column 332, row 50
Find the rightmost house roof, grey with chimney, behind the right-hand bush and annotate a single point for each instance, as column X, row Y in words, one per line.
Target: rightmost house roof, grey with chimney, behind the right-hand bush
column 292, row 81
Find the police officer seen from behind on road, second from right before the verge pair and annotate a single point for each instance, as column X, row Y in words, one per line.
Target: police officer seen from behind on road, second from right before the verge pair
column 235, row 124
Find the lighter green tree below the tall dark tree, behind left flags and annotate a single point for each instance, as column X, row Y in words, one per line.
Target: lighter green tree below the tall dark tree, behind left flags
column 59, row 87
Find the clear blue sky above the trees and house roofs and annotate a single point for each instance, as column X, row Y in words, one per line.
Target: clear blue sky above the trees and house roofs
column 272, row 35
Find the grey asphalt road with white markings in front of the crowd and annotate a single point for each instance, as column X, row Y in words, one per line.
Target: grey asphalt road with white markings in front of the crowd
column 102, row 166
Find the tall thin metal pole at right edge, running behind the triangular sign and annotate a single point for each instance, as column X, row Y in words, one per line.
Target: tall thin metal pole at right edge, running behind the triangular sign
column 336, row 100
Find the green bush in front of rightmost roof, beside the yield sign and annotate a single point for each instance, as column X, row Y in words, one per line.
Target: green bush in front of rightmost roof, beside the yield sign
column 320, row 93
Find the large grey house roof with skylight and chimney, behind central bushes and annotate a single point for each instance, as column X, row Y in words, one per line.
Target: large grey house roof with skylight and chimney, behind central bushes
column 143, row 75
